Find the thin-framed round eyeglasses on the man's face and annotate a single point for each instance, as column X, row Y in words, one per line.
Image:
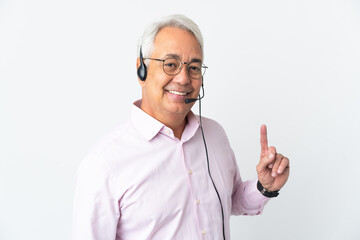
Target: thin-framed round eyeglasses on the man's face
column 173, row 66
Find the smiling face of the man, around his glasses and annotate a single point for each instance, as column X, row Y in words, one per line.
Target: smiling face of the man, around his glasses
column 163, row 96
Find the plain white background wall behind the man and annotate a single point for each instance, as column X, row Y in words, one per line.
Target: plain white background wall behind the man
column 68, row 76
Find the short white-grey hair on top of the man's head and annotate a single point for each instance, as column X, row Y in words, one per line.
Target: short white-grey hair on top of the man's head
column 146, row 41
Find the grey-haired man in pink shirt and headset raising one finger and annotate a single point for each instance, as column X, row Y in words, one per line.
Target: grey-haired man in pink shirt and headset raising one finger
column 166, row 173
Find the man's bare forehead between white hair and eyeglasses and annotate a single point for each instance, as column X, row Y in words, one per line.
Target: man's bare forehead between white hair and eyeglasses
column 183, row 43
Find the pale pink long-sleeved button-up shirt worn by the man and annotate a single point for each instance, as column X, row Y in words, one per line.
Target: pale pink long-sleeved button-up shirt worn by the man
column 141, row 182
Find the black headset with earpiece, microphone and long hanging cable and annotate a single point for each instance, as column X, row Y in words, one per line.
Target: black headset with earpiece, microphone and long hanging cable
column 142, row 74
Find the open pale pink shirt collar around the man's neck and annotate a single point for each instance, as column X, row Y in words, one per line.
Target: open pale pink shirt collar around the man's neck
column 149, row 127
